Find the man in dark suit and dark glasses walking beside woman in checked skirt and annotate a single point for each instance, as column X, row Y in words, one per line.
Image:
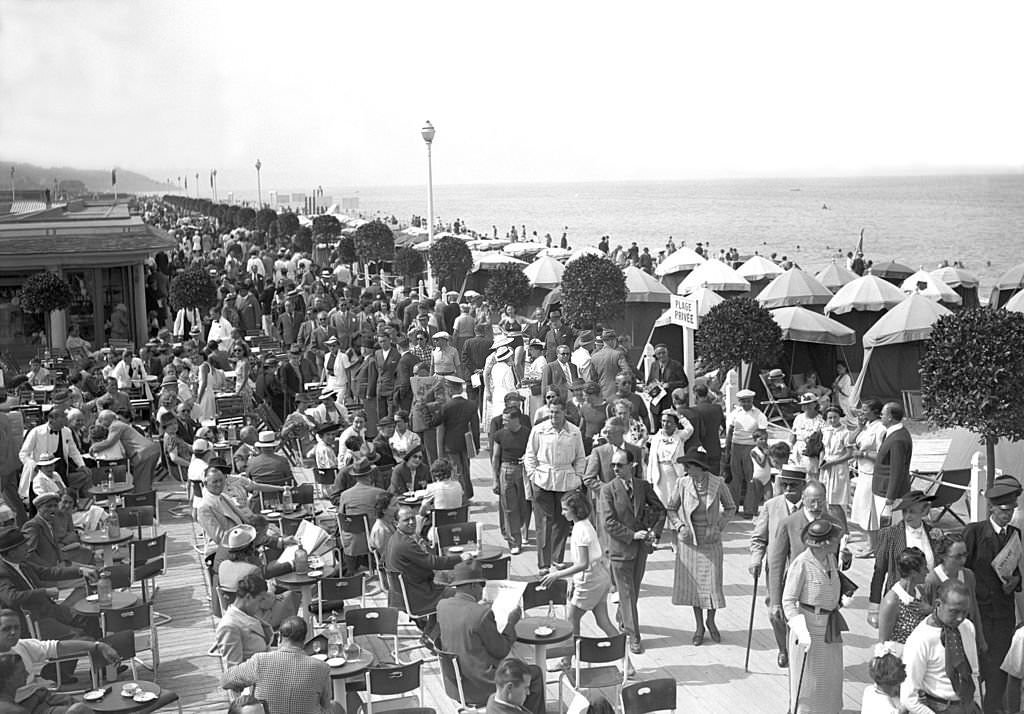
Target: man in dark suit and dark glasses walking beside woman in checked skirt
column 633, row 519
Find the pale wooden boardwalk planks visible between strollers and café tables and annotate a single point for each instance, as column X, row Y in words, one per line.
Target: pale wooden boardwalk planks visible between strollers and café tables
column 711, row 679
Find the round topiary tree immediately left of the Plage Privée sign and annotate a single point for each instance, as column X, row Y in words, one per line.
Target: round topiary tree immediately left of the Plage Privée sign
column 593, row 290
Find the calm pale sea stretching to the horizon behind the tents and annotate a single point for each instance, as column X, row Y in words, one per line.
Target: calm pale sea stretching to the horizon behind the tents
column 921, row 222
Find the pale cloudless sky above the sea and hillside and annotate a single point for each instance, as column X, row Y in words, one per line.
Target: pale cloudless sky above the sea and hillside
column 335, row 94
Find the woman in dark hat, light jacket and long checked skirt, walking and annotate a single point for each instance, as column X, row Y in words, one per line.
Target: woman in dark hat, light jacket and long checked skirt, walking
column 699, row 510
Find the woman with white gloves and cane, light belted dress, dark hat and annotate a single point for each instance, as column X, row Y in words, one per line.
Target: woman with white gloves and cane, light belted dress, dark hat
column 810, row 603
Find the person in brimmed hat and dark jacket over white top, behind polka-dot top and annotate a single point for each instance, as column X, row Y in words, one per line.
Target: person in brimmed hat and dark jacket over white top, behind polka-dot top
column 893, row 540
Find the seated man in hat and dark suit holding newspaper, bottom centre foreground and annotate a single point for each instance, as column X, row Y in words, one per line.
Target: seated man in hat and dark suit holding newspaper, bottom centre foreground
column 468, row 631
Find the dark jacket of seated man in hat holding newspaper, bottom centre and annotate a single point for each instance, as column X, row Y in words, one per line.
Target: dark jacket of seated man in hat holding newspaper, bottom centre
column 470, row 633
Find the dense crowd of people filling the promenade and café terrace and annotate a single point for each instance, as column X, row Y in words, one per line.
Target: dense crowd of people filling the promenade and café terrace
column 391, row 394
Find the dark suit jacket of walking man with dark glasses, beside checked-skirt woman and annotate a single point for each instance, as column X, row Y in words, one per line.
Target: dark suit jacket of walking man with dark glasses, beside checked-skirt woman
column 623, row 517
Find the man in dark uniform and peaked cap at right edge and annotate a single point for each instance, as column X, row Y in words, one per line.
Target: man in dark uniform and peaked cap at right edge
column 985, row 541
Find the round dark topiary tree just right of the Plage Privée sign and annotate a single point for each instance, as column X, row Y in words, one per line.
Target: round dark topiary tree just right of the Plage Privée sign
column 737, row 331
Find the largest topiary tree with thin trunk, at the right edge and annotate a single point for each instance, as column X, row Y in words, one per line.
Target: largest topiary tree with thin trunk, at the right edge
column 972, row 375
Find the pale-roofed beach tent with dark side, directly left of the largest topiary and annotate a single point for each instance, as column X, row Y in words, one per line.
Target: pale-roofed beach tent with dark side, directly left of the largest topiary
column 893, row 348
